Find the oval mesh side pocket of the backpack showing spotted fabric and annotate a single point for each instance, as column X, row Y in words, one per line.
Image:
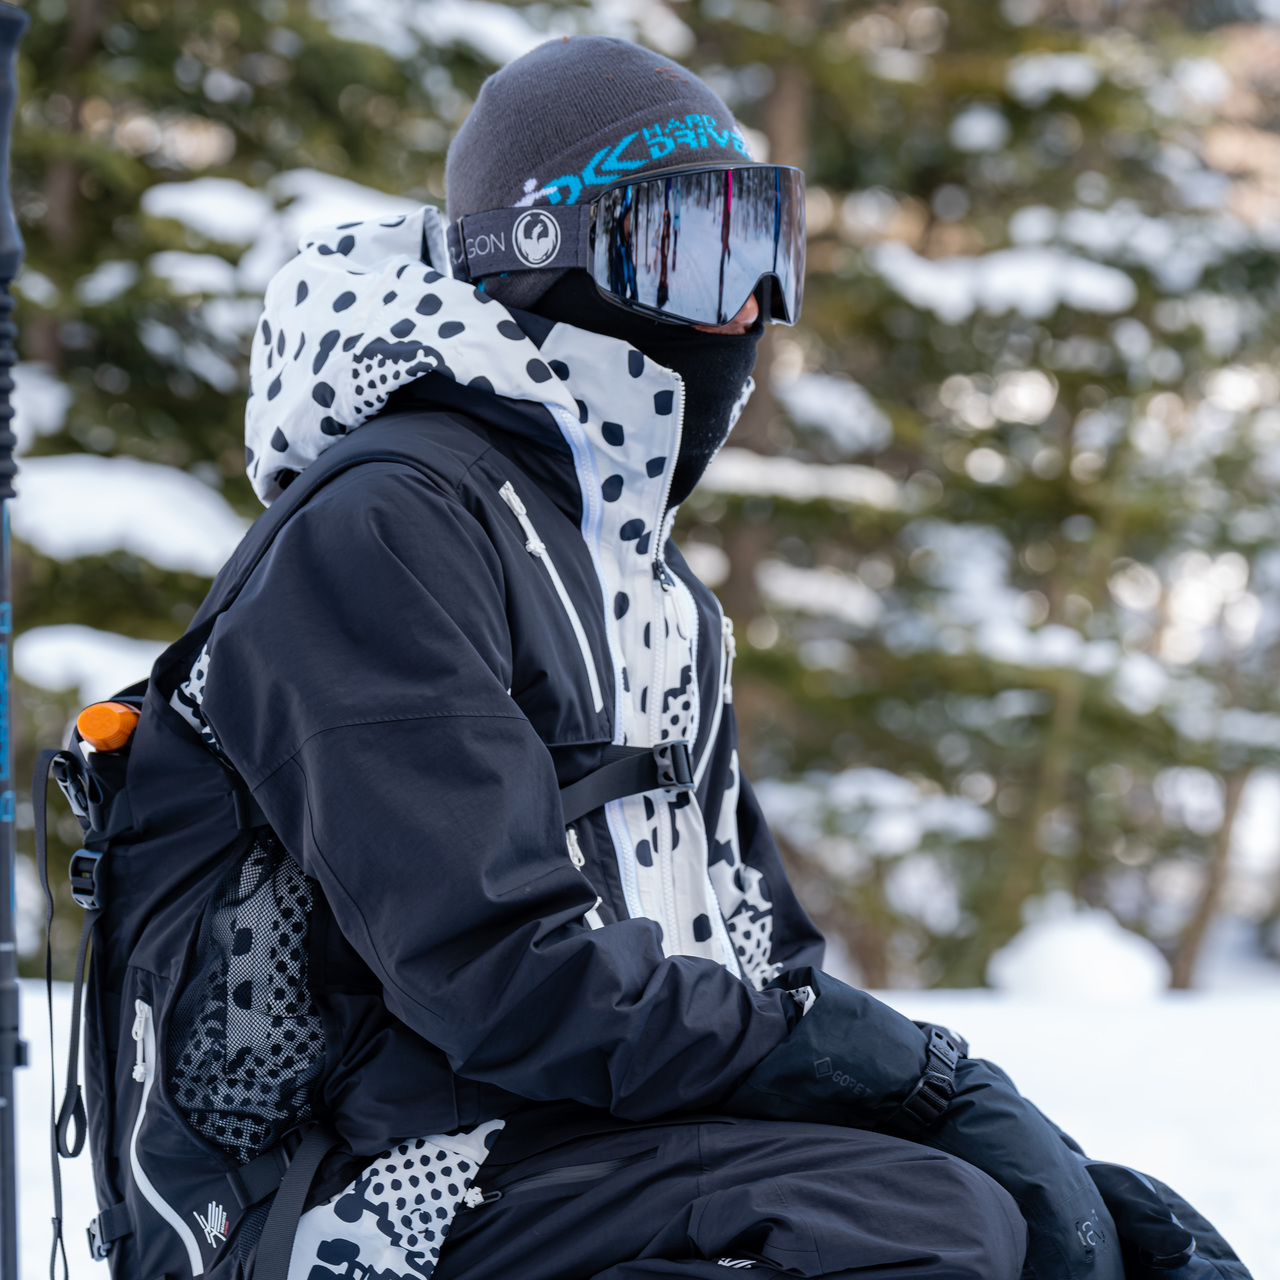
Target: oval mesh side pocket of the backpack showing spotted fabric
column 245, row 1041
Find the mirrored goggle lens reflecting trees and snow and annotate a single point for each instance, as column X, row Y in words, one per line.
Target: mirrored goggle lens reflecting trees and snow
column 694, row 246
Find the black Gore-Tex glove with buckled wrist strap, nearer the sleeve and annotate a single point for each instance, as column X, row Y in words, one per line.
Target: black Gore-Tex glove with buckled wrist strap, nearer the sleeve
column 853, row 1060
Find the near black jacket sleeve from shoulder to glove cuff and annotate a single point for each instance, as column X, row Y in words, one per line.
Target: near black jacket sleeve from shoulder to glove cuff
column 360, row 685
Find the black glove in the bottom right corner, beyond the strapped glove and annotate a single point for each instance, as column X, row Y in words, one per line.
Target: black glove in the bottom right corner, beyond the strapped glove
column 1162, row 1236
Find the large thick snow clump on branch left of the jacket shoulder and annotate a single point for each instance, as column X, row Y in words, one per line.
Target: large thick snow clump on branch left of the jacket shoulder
column 80, row 505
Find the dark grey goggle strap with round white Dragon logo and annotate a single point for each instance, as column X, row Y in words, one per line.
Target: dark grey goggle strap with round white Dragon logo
column 520, row 240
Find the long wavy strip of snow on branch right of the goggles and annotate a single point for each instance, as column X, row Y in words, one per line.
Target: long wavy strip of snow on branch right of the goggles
column 1032, row 281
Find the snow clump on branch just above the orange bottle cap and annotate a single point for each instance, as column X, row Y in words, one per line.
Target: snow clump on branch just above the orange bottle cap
column 97, row 664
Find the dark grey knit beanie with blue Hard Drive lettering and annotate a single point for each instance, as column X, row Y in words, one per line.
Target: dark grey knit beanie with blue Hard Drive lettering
column 573, row 116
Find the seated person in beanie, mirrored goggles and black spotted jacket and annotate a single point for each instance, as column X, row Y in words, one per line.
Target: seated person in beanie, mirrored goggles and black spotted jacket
column 557, row 998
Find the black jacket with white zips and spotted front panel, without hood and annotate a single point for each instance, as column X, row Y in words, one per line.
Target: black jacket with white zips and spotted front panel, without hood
column 401, row 687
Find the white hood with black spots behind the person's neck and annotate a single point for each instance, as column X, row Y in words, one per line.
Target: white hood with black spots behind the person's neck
column 359, row 314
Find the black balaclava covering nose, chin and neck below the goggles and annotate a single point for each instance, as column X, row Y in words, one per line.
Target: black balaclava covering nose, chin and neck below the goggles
column 714, row 367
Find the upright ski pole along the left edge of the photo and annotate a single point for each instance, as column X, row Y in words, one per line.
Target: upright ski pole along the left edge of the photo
column 13, row 1052
